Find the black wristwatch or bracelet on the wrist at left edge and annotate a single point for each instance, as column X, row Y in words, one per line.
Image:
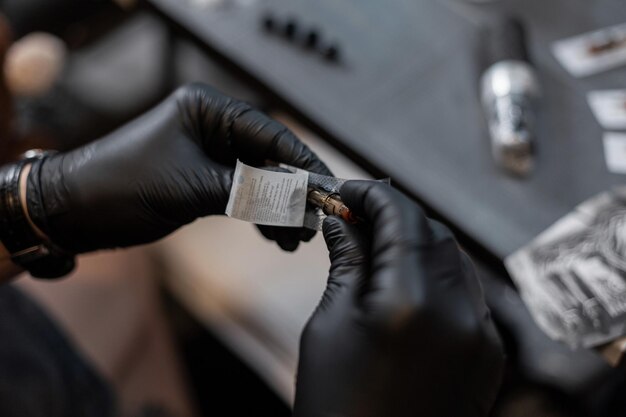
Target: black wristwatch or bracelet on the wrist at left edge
column 41, row 258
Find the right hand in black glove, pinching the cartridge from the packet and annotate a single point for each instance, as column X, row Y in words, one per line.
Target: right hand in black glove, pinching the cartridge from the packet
column 402, row 328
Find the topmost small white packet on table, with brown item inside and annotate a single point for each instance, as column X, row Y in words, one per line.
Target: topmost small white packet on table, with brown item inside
column 592, row 52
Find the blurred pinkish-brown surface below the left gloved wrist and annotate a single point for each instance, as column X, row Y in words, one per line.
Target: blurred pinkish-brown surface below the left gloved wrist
column 110, row 309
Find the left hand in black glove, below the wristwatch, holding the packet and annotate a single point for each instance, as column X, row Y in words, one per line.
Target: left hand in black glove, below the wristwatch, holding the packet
column 161, row 171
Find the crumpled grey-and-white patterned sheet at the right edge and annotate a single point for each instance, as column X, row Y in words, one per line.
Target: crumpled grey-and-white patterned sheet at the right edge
column 572, row 277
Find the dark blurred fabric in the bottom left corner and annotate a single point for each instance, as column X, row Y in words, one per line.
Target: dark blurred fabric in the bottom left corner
column 41, row 375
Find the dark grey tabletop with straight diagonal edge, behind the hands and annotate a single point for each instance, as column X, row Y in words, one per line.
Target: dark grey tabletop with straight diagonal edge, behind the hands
column 403, row 98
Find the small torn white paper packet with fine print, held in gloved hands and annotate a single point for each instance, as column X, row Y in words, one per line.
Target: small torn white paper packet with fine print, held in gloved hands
column 267, row 197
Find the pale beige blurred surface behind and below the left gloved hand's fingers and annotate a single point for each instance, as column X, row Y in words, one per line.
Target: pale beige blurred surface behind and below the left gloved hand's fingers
column 255, row 297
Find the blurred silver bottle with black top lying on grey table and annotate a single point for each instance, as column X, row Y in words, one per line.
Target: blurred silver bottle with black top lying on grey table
column 509, row 93
